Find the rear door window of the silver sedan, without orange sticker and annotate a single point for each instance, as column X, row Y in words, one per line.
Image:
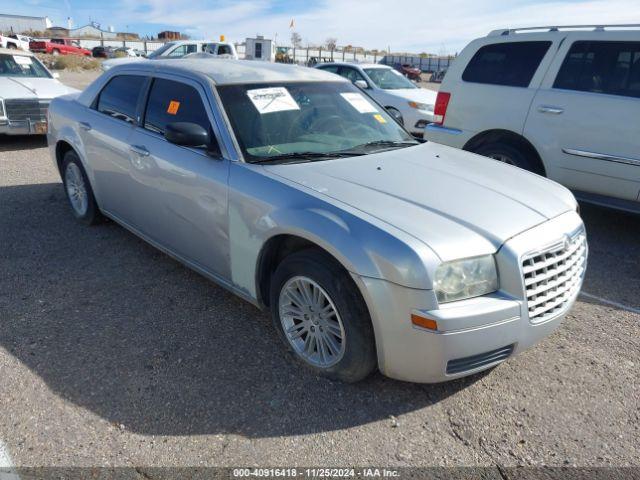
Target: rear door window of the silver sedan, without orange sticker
column 119, row 97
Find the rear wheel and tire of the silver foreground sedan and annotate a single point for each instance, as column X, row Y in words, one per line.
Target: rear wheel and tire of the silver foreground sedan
column 78, row 190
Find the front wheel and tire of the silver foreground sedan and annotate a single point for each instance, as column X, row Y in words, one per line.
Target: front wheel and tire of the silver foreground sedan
column 321, row 317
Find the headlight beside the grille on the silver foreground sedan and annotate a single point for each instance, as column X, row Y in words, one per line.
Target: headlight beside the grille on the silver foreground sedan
column 467, row 278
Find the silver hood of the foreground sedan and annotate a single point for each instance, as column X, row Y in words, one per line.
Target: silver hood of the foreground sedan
column 458, row 203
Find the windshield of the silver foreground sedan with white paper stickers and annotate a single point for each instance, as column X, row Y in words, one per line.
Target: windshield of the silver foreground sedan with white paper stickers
column 321, row 118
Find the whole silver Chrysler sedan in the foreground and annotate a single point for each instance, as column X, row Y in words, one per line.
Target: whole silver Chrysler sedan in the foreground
column 294, row 190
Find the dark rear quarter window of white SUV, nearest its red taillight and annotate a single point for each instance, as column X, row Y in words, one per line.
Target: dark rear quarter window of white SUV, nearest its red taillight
column 512, row 64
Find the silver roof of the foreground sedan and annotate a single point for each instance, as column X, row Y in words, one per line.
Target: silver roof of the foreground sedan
column 224, row 71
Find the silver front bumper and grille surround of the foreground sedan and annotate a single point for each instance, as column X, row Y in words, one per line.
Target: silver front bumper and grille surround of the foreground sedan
column 473, row 335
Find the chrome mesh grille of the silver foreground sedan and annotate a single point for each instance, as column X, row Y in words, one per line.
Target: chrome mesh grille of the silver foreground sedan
column 553, row 277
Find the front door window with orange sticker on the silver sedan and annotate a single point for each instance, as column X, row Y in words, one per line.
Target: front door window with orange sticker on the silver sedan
column 170, row 102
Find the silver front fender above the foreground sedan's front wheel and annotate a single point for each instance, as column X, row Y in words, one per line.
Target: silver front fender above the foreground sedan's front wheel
column 363, row 245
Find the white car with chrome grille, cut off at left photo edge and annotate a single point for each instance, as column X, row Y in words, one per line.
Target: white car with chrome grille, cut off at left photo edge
column 26, row 88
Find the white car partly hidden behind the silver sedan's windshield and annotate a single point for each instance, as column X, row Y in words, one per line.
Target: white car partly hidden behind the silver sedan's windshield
column 410, row 105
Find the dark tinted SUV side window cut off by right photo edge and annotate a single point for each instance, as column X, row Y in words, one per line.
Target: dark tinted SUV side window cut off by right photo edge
column 602, row 67
